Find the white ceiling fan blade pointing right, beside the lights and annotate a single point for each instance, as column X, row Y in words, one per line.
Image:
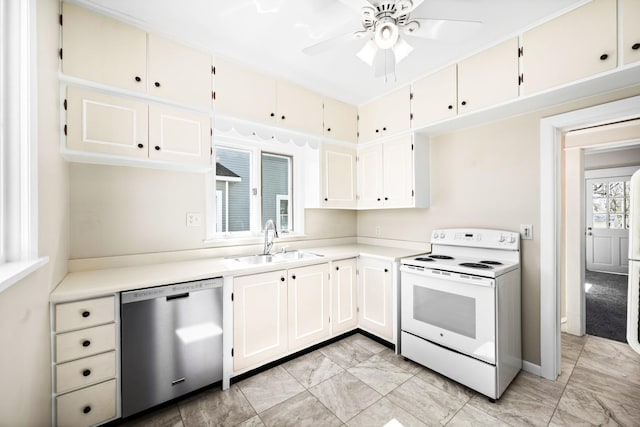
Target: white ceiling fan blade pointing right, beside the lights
column 440, row 29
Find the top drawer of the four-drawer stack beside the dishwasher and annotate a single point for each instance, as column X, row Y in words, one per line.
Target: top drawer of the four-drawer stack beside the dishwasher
column 83, row 314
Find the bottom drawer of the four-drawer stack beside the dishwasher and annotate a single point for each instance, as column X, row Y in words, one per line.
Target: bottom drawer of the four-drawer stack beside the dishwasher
column 87, row 406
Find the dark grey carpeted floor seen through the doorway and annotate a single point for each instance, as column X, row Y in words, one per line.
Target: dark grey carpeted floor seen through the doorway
column 606, row 305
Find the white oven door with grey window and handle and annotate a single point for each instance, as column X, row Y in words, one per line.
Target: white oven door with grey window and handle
column 454, row 310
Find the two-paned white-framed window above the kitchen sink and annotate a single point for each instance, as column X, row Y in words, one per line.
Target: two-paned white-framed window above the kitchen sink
column 252, row 186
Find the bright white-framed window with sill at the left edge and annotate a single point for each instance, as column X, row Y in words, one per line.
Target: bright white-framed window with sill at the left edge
column 18, row 154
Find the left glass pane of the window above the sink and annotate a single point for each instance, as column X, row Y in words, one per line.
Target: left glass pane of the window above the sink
column 233, row 184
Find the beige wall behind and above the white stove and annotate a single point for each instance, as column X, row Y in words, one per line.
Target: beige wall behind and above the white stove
column 487, row 176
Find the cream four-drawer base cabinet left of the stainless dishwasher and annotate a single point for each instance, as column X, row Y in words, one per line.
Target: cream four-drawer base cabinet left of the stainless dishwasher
column 85, row 361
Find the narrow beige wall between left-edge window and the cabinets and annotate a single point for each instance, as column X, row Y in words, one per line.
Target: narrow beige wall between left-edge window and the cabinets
column 25, row 384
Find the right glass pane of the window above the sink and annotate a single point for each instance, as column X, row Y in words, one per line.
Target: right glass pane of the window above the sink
column 277, row 196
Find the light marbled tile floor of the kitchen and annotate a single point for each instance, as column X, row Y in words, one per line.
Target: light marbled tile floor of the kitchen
column 359, row 382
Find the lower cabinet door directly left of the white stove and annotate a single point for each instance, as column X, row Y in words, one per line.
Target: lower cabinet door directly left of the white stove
column 375, row 297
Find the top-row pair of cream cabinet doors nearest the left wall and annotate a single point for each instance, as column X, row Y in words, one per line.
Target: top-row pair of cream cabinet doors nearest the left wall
column 103, row 50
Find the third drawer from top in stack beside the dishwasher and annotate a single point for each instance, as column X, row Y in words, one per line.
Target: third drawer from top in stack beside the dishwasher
column 85, row 371
